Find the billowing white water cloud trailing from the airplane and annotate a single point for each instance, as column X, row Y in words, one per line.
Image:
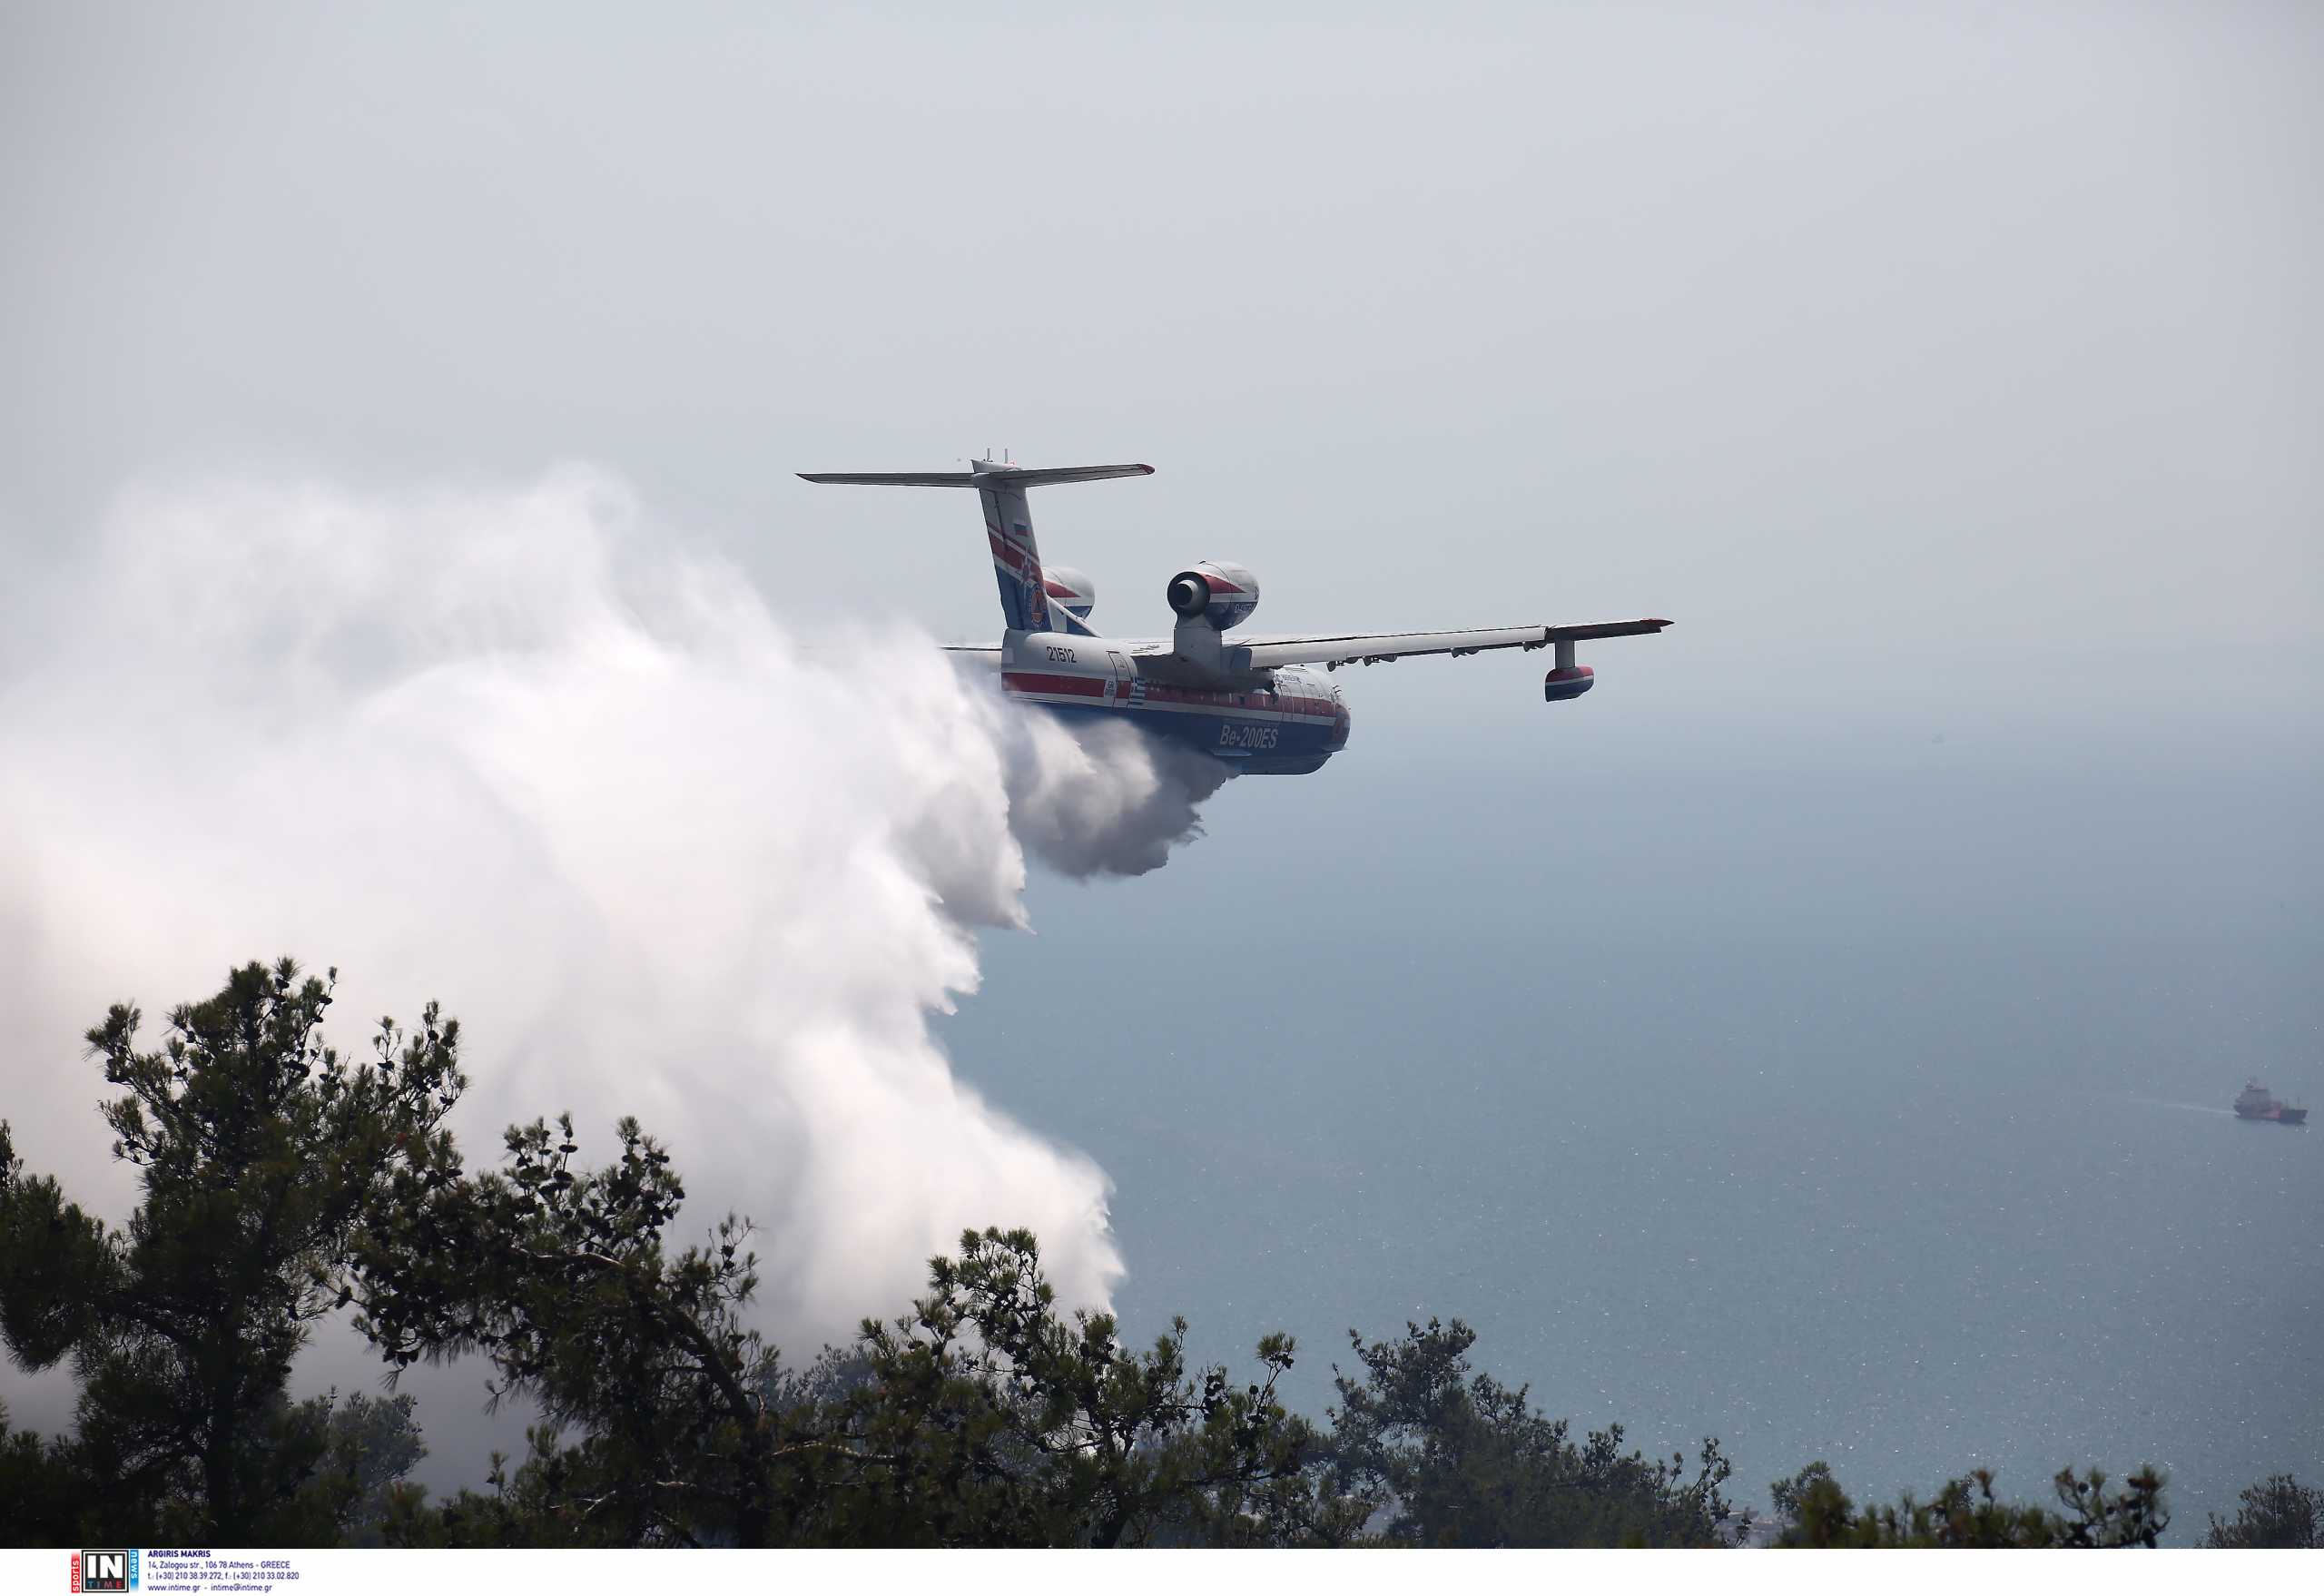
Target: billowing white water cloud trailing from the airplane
column 517, row 754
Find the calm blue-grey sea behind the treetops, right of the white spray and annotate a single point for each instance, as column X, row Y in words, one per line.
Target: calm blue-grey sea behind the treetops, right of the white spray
column 1872, row 1116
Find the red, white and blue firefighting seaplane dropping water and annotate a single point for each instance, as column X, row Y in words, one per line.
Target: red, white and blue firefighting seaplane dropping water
column 1249, row 703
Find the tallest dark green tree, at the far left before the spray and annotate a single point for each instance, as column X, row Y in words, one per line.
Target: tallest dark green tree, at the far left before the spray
column 261, row 1156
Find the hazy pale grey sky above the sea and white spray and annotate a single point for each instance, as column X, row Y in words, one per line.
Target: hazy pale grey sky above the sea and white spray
column 1886, row 340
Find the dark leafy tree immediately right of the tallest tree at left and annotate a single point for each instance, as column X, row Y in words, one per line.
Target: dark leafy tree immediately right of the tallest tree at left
column 568, row 1284
